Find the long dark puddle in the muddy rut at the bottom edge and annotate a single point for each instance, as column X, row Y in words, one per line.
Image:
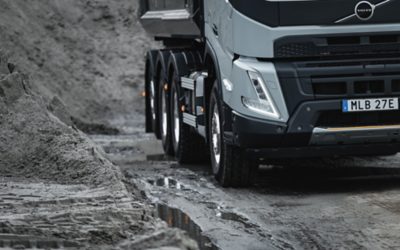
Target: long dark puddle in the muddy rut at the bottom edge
column 178, row 219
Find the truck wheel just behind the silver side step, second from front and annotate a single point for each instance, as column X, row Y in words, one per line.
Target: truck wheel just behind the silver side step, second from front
column 189, row 148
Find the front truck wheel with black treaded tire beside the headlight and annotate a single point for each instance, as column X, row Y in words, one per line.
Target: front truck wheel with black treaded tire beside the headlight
column 229, row 163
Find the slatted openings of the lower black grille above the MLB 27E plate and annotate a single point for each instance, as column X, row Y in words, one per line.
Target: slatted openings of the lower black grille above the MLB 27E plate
column 351, row 79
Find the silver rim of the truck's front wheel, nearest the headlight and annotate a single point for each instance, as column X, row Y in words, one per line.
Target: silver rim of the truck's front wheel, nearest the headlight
column 216, row 139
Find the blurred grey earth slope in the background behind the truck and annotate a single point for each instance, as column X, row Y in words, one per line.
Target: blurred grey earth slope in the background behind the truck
column 88, row 53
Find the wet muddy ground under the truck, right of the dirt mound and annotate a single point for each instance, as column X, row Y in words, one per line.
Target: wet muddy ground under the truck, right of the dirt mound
column 329, row 204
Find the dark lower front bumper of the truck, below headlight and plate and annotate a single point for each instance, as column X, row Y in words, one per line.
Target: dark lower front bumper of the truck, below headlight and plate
column 302, row 135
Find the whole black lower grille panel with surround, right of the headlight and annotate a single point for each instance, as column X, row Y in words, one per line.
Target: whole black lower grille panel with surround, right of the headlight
column 362, row 77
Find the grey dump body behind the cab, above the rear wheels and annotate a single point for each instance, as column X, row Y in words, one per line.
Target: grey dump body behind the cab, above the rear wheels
column 171, row 18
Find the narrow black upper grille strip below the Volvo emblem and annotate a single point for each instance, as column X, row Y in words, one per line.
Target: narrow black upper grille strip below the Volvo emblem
column 295, row 47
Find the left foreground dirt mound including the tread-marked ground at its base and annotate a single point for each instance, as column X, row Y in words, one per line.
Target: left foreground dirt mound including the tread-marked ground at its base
column 57, row 189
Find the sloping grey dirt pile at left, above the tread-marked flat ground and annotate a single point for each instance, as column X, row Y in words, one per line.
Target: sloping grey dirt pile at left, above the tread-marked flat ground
column 36, row 143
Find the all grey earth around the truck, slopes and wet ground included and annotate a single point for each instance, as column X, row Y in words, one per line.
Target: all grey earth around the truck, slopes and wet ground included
column 79, row 69
